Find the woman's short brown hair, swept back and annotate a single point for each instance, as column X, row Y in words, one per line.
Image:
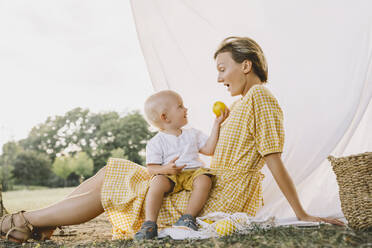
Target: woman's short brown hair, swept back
column 244, row 48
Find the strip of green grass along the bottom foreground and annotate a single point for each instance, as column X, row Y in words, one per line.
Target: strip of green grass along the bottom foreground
column 324, row 236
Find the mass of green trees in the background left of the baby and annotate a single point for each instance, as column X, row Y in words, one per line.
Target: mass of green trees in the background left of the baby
column 78, row 142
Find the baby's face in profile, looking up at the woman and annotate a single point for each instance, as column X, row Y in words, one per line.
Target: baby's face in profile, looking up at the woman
column 177, row 113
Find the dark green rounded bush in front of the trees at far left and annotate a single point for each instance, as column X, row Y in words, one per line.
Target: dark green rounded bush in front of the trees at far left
column 32, row 168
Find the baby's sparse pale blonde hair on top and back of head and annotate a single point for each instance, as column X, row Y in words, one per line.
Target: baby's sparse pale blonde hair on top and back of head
column 156, row 105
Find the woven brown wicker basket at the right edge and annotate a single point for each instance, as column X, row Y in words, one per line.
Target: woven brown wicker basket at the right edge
column 354, row 178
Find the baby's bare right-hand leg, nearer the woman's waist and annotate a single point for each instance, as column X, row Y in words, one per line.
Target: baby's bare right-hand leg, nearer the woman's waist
column 200, row 190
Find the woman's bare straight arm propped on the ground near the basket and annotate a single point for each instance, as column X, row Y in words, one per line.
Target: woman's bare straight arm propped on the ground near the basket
column 285, row 183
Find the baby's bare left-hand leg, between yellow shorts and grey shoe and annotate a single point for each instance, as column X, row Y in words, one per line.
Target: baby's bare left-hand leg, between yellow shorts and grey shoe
column 158, row 187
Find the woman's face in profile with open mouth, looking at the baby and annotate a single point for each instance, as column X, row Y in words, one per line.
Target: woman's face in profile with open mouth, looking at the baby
column 231, row 74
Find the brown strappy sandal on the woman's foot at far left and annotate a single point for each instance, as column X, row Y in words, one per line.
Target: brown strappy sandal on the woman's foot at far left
column 27, row 228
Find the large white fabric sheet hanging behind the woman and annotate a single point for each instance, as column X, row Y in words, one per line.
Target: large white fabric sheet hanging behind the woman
column 320, row 69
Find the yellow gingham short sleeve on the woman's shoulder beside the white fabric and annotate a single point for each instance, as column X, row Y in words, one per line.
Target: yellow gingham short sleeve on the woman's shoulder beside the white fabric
column 267, row 125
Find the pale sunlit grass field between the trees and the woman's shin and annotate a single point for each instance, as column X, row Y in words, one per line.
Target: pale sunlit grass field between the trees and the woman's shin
column 33, row 199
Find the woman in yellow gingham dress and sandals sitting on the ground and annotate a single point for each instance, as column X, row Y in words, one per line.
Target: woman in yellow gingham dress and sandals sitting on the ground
column 252, row 136
